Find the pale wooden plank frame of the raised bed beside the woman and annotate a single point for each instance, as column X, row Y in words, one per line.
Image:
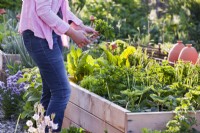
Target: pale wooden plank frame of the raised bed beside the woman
column 96, row 114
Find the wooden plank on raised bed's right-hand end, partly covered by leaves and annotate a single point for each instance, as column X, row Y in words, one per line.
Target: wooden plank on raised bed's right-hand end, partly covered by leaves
column 153, row 120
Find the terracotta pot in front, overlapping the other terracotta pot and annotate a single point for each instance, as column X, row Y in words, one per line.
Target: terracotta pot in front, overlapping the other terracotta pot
column 189, row 54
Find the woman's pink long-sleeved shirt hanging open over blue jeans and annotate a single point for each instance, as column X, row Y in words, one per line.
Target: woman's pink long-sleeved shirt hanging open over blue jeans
column 40, row 16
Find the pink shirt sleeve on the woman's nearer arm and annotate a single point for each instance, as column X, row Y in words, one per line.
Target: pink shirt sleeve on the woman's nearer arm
column 43, row 9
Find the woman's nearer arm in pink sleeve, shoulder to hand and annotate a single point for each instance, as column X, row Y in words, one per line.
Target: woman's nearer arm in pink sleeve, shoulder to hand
column 43, row 9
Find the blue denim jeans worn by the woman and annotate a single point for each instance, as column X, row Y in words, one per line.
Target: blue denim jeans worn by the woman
column 56, row 88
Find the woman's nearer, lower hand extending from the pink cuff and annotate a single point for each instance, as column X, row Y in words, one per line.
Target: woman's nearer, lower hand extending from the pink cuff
column 78, row 36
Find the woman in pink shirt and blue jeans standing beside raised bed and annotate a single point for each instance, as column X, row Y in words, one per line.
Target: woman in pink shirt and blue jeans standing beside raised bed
column 42, row 24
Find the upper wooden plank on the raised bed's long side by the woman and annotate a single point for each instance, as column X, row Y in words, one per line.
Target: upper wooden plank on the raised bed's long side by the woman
column 99, row 107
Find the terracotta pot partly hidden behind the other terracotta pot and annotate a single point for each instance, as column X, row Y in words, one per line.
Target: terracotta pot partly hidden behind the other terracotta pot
column 175, row 51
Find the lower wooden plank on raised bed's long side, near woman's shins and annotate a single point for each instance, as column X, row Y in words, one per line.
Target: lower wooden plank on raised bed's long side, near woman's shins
column 88, row 121
